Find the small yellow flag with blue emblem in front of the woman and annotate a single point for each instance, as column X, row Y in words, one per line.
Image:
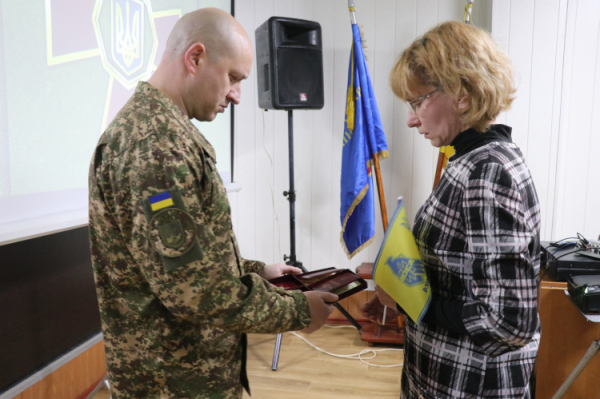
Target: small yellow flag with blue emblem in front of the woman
column 398, row 268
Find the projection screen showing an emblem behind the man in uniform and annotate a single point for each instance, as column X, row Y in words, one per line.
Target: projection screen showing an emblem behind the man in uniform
column 66, row 68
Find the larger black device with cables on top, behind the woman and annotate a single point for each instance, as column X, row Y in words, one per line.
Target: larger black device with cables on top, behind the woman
column 566, row 260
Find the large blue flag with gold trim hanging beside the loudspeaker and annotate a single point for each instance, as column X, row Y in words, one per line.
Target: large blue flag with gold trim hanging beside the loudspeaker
column 363, row 137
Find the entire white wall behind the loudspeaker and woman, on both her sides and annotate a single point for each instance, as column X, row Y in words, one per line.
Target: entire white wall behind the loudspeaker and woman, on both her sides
column 546, row 40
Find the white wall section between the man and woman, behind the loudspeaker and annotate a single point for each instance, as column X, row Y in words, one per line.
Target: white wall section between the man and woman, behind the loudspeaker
column 260, row 211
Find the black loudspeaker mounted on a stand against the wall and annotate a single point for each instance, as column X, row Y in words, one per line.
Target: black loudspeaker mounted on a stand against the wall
column 289, row 64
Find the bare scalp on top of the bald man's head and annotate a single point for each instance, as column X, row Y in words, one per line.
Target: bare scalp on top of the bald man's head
column 217, row 30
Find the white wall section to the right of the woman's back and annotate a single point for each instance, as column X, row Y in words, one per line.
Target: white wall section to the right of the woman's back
column 556, row 116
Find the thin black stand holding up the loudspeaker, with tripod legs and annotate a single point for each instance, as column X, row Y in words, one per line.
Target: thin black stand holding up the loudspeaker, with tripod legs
column 291, row 260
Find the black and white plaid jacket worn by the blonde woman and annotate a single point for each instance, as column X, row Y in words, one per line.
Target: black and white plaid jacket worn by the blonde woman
column 478, row 235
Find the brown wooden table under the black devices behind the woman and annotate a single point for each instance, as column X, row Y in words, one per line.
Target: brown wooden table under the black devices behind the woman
column 566, row 337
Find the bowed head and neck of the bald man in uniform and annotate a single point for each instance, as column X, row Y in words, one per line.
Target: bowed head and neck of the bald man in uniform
column 207, row 56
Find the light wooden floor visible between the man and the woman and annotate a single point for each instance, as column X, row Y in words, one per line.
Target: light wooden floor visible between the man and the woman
column 304, row 372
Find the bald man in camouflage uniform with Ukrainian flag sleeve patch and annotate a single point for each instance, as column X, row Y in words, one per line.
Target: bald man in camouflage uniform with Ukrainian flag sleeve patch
column 176, row 297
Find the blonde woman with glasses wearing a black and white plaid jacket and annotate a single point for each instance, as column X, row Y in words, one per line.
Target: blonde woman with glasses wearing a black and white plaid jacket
column 477, row 233
